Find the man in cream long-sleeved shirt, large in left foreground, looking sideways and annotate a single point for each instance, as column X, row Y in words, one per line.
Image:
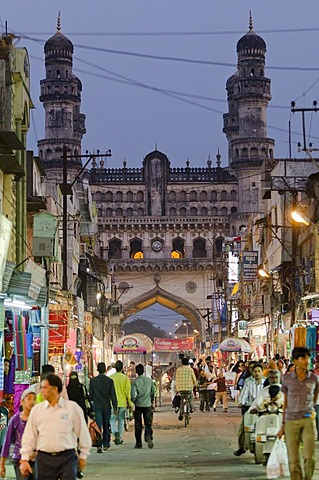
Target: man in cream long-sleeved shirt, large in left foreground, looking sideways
column 56, row 429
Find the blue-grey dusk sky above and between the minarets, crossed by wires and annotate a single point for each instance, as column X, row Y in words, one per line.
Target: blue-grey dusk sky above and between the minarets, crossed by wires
column 184, row 116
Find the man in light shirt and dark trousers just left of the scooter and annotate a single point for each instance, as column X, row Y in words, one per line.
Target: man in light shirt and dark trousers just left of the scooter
column 252, row 387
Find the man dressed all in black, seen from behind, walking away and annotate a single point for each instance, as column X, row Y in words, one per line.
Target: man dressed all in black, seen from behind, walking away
column 102, row 395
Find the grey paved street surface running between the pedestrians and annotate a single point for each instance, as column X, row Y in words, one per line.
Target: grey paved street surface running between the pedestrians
column 202, row 450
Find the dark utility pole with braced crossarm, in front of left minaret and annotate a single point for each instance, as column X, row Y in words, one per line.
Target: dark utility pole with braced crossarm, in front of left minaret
column 67, row 190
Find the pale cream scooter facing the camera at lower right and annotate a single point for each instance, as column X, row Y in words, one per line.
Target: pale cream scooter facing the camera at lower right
column 266, row 429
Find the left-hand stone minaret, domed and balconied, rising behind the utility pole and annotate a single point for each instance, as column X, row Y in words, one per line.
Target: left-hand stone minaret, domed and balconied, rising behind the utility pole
column 61, row 98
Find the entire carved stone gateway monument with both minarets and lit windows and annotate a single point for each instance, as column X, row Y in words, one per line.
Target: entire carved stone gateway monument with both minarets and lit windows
column 162, row 228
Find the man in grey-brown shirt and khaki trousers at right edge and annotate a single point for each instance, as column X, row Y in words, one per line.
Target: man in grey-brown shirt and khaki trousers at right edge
column 300, row 390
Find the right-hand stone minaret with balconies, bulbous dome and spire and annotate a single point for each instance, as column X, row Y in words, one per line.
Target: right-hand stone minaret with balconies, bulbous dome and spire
column 245, row 124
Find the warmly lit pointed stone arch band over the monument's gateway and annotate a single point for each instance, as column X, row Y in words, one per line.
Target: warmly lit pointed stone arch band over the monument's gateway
column 168, row 300
